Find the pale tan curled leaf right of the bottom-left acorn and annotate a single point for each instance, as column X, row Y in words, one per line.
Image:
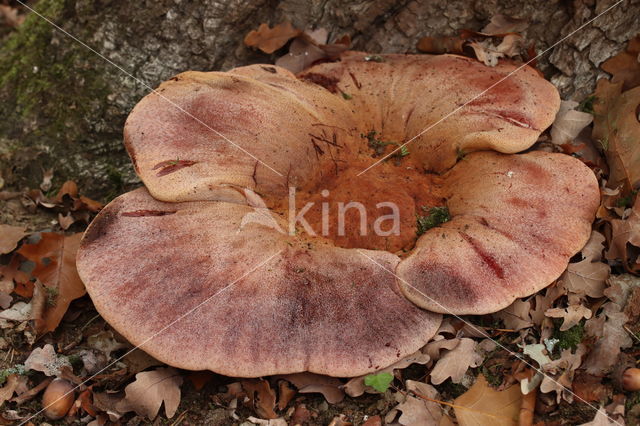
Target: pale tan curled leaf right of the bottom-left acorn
column 150, row 389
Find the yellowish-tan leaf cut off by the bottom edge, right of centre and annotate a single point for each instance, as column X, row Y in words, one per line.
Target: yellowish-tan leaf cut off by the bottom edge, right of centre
column 482, row 405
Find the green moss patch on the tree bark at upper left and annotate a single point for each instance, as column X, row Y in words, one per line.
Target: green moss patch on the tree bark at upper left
column 51, row 90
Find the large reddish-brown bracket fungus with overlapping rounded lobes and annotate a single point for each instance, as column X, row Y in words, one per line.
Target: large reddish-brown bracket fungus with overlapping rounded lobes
column 203, row 269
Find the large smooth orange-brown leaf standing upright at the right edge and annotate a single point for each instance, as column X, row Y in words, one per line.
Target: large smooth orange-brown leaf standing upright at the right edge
column 617, row 128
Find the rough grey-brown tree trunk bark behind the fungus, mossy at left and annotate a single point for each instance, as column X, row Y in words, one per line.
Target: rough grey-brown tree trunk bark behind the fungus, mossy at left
column 63, row 106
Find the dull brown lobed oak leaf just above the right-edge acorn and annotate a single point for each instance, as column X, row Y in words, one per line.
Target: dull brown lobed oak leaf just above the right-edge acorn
column 608, row 329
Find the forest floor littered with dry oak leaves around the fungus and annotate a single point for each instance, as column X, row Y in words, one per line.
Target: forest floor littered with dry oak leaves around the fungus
column 567, row 355
